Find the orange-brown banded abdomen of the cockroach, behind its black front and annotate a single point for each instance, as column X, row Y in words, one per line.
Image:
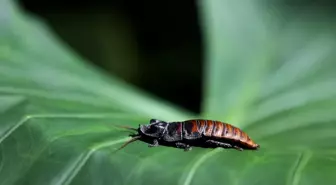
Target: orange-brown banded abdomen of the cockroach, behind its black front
column 220, row 130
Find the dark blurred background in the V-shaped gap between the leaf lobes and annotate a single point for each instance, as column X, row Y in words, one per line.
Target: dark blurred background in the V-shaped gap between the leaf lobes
column 147, row 43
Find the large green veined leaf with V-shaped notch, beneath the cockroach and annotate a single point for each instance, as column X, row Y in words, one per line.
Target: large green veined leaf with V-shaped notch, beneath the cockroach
column 272, row 77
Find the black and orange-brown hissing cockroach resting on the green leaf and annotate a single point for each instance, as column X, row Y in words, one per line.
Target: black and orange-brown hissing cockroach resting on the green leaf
column 192, row 133
